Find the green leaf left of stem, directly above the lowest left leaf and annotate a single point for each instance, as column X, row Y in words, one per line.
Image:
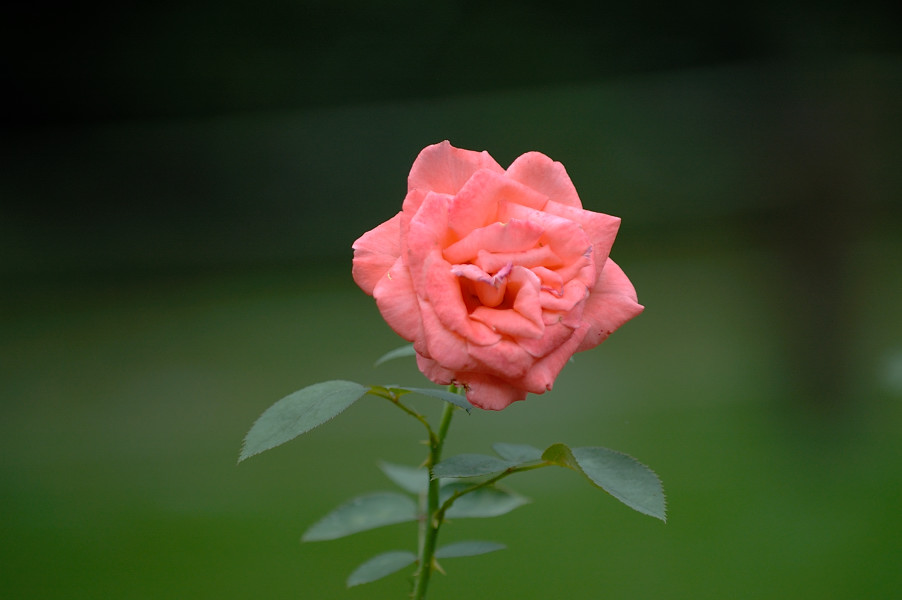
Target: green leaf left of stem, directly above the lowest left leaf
column 362, row 513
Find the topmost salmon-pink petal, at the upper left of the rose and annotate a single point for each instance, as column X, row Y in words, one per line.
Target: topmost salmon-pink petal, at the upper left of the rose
column 445, row 169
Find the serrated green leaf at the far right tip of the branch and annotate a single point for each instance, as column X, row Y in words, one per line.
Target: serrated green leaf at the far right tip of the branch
column 619, row 474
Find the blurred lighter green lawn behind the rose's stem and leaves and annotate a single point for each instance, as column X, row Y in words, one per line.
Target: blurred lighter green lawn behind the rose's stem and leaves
column 126, row 403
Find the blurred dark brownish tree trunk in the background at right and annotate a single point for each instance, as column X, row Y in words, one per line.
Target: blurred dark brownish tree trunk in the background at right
column 821, row 208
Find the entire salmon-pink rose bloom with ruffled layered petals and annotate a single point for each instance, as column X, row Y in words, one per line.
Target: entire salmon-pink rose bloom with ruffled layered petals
column 497, row 277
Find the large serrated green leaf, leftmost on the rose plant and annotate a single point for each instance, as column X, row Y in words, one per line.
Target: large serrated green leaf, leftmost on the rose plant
column 298, row 413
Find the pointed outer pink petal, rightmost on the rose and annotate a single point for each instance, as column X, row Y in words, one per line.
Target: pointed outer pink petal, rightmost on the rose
column 611, row 303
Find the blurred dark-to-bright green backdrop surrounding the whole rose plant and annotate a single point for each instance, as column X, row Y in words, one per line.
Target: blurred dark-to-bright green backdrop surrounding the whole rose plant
column 179, row 190
